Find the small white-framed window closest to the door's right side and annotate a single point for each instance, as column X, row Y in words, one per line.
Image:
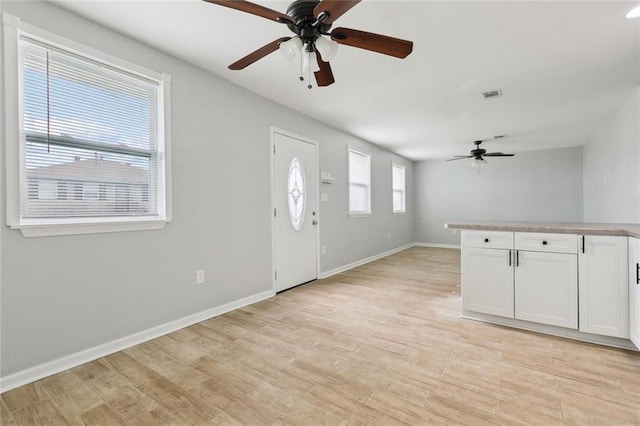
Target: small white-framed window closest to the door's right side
column 359, row 183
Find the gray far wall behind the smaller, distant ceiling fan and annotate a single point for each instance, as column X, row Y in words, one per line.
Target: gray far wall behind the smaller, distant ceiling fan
column 532, row 186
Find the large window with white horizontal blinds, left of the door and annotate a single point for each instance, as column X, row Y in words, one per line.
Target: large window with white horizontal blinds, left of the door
column 91, row 135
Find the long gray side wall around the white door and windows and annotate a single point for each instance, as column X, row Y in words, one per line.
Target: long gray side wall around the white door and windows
column 61, row 295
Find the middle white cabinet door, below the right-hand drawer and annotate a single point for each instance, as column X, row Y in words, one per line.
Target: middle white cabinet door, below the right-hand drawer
column 546, row 288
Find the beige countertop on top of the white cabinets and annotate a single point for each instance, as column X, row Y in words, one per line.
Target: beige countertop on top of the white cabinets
column 622, row 229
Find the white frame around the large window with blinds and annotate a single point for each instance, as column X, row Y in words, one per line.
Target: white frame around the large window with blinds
column 13, row 29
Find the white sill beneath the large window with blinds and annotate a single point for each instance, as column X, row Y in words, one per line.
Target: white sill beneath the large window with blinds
column 49, row 230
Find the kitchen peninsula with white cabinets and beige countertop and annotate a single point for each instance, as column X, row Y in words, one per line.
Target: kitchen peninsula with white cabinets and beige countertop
column 575, row 280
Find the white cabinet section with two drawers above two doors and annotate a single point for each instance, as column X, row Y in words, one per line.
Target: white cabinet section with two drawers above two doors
column 499, row 278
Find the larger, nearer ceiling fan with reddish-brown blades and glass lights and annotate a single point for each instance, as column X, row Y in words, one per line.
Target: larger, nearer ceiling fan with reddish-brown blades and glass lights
column 310, row 20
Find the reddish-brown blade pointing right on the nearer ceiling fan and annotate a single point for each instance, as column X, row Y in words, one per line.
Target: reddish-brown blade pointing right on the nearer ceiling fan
column 374, row 42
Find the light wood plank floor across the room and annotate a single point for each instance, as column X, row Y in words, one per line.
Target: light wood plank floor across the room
column 380, row 344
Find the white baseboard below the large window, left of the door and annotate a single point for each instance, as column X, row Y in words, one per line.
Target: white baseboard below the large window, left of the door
column 52, row 367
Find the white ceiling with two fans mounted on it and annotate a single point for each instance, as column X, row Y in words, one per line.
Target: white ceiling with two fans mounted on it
column 563, row 67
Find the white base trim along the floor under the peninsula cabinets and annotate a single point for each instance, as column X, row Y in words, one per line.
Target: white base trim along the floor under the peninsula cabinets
column 551, row 330
